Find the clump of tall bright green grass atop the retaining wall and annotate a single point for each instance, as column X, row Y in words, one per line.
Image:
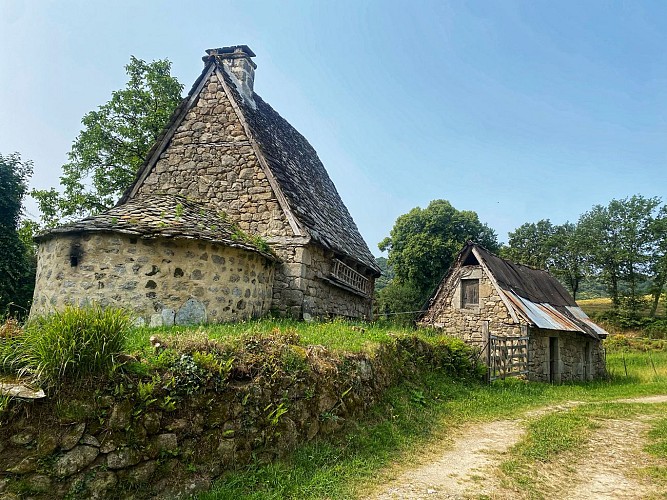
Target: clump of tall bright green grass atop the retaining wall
column 71, row 344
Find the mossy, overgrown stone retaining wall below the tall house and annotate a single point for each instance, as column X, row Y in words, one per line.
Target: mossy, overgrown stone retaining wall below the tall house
column 174, row 439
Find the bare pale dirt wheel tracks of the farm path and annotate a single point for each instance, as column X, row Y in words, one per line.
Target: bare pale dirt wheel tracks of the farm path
column 468, row 467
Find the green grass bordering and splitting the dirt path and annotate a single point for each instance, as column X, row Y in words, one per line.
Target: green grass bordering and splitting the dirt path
column 411, row 419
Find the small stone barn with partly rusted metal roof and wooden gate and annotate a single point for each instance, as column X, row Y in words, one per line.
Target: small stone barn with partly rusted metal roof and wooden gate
column 522, row 319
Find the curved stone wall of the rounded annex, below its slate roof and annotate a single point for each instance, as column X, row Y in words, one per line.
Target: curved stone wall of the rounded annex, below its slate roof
column 162, row 281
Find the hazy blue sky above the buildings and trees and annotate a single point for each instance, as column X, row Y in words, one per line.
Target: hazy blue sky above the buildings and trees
column 518, row 110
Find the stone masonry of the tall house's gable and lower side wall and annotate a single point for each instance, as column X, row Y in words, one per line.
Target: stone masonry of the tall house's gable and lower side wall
column 210, row 159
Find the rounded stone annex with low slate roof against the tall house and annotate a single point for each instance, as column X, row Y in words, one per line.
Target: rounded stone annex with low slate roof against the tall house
column 167, row 259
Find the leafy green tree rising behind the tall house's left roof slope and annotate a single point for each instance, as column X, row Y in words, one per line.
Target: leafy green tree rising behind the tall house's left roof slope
column 114, row 143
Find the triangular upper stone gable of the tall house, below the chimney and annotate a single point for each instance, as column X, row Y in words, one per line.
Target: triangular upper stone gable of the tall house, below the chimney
column 210, row 159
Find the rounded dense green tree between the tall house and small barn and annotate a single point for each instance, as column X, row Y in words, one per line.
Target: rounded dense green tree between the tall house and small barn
column 424, row 242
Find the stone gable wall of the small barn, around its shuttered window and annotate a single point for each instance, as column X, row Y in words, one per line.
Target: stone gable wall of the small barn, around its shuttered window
column 468, row 323
